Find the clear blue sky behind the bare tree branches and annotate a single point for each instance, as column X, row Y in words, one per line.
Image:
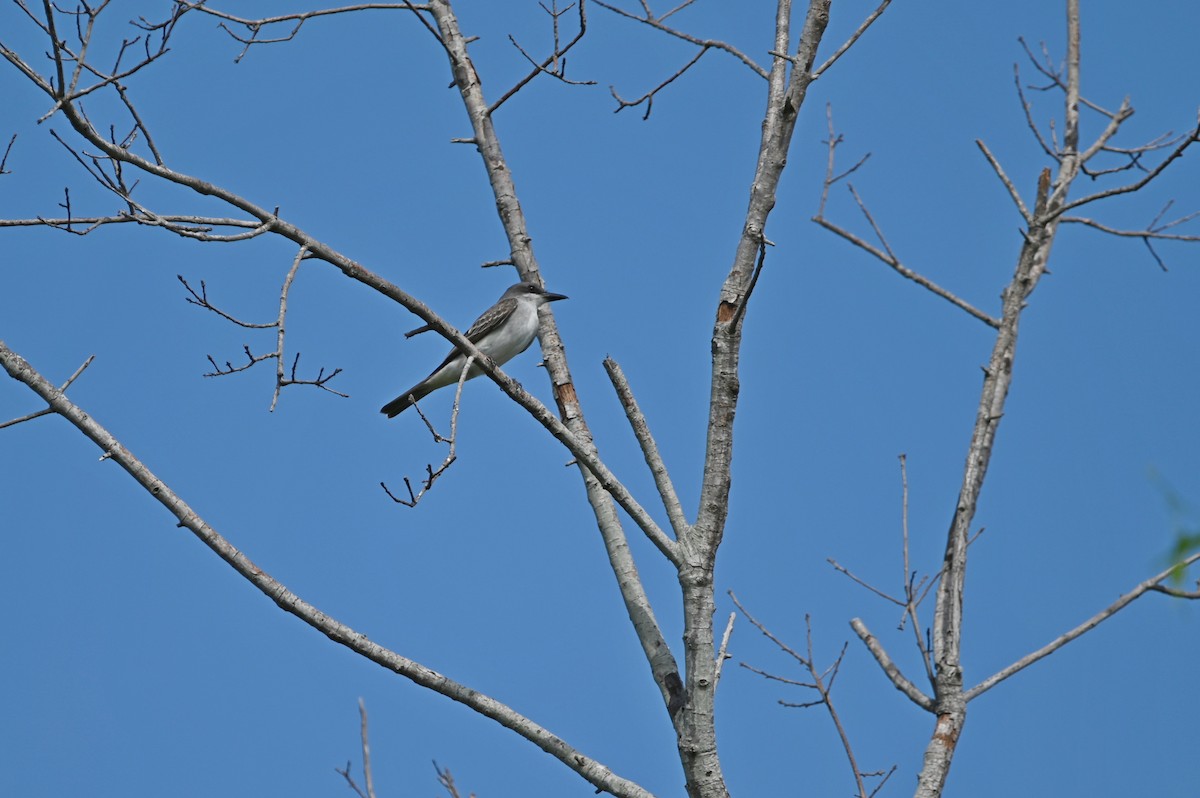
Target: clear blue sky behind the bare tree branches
column 137, row 663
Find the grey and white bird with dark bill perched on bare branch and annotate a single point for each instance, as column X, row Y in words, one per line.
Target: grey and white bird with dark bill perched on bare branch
column 503, row 332
